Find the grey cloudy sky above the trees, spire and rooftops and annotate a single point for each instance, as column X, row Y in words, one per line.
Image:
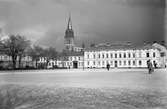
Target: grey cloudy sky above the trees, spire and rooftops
column 94, row 21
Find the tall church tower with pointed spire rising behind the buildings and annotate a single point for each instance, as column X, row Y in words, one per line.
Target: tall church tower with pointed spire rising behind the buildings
column 69, row 36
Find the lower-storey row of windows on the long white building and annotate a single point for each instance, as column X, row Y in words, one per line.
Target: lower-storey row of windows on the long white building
column 116, row 63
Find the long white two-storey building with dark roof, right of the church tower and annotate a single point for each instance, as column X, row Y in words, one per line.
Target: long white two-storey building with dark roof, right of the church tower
column 121, row 56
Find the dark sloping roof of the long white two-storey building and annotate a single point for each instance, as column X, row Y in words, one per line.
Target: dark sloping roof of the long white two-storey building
column 107, row 47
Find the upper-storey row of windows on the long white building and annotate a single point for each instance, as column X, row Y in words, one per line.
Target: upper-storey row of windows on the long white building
column 111, row 55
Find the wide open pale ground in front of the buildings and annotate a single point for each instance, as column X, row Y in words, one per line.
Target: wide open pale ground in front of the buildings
column 84, row 89
